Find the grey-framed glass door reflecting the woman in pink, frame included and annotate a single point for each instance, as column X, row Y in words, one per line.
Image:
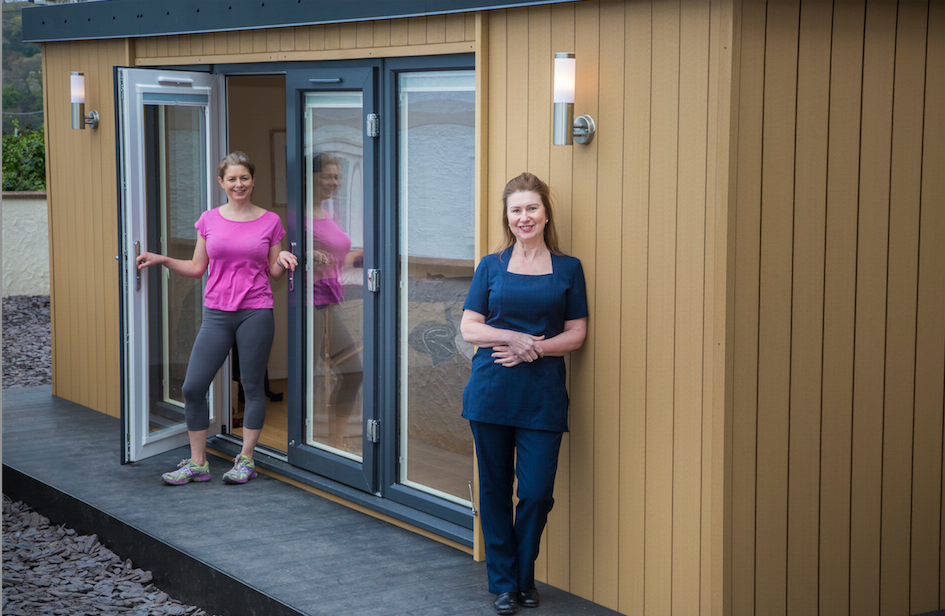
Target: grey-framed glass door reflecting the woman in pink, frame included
column 332, row 314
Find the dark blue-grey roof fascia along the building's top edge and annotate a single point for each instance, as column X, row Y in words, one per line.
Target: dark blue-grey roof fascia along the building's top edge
column 137, row 18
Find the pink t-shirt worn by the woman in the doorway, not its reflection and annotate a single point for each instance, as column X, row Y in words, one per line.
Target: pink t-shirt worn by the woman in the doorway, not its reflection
column 238, row 275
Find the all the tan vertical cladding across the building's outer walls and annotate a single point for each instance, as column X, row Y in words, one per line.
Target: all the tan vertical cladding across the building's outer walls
column 757, row 413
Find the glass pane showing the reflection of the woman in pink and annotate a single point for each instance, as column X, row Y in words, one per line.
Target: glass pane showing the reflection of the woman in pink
column 333, row 247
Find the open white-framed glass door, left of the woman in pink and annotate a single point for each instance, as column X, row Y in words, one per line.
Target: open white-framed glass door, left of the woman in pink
column 169, row 137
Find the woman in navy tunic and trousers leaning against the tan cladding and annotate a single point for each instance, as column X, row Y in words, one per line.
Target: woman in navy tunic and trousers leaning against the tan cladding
column 526, row 309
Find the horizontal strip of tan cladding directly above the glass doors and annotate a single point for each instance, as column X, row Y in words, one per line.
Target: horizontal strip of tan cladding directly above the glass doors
column 453, row 33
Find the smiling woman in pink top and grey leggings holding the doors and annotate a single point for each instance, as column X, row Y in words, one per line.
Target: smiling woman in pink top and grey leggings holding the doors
column 239, row 244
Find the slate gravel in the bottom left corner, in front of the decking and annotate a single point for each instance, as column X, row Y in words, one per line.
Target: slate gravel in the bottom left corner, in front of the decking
column 52, row 570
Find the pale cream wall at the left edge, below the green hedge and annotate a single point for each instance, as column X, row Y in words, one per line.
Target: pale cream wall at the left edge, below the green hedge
column 25, row 244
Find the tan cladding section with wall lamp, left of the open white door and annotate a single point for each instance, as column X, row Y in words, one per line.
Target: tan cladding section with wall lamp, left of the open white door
column 83, row 225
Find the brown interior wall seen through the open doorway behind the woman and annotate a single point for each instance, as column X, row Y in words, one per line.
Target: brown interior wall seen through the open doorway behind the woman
column 255, row 116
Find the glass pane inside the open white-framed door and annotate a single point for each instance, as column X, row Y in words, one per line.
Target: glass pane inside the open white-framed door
column 177, row 196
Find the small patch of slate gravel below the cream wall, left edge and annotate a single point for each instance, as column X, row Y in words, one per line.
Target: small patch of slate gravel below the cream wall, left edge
column 27, row 359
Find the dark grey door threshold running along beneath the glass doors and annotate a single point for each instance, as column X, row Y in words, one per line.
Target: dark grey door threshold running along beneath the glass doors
column 429, row 526
